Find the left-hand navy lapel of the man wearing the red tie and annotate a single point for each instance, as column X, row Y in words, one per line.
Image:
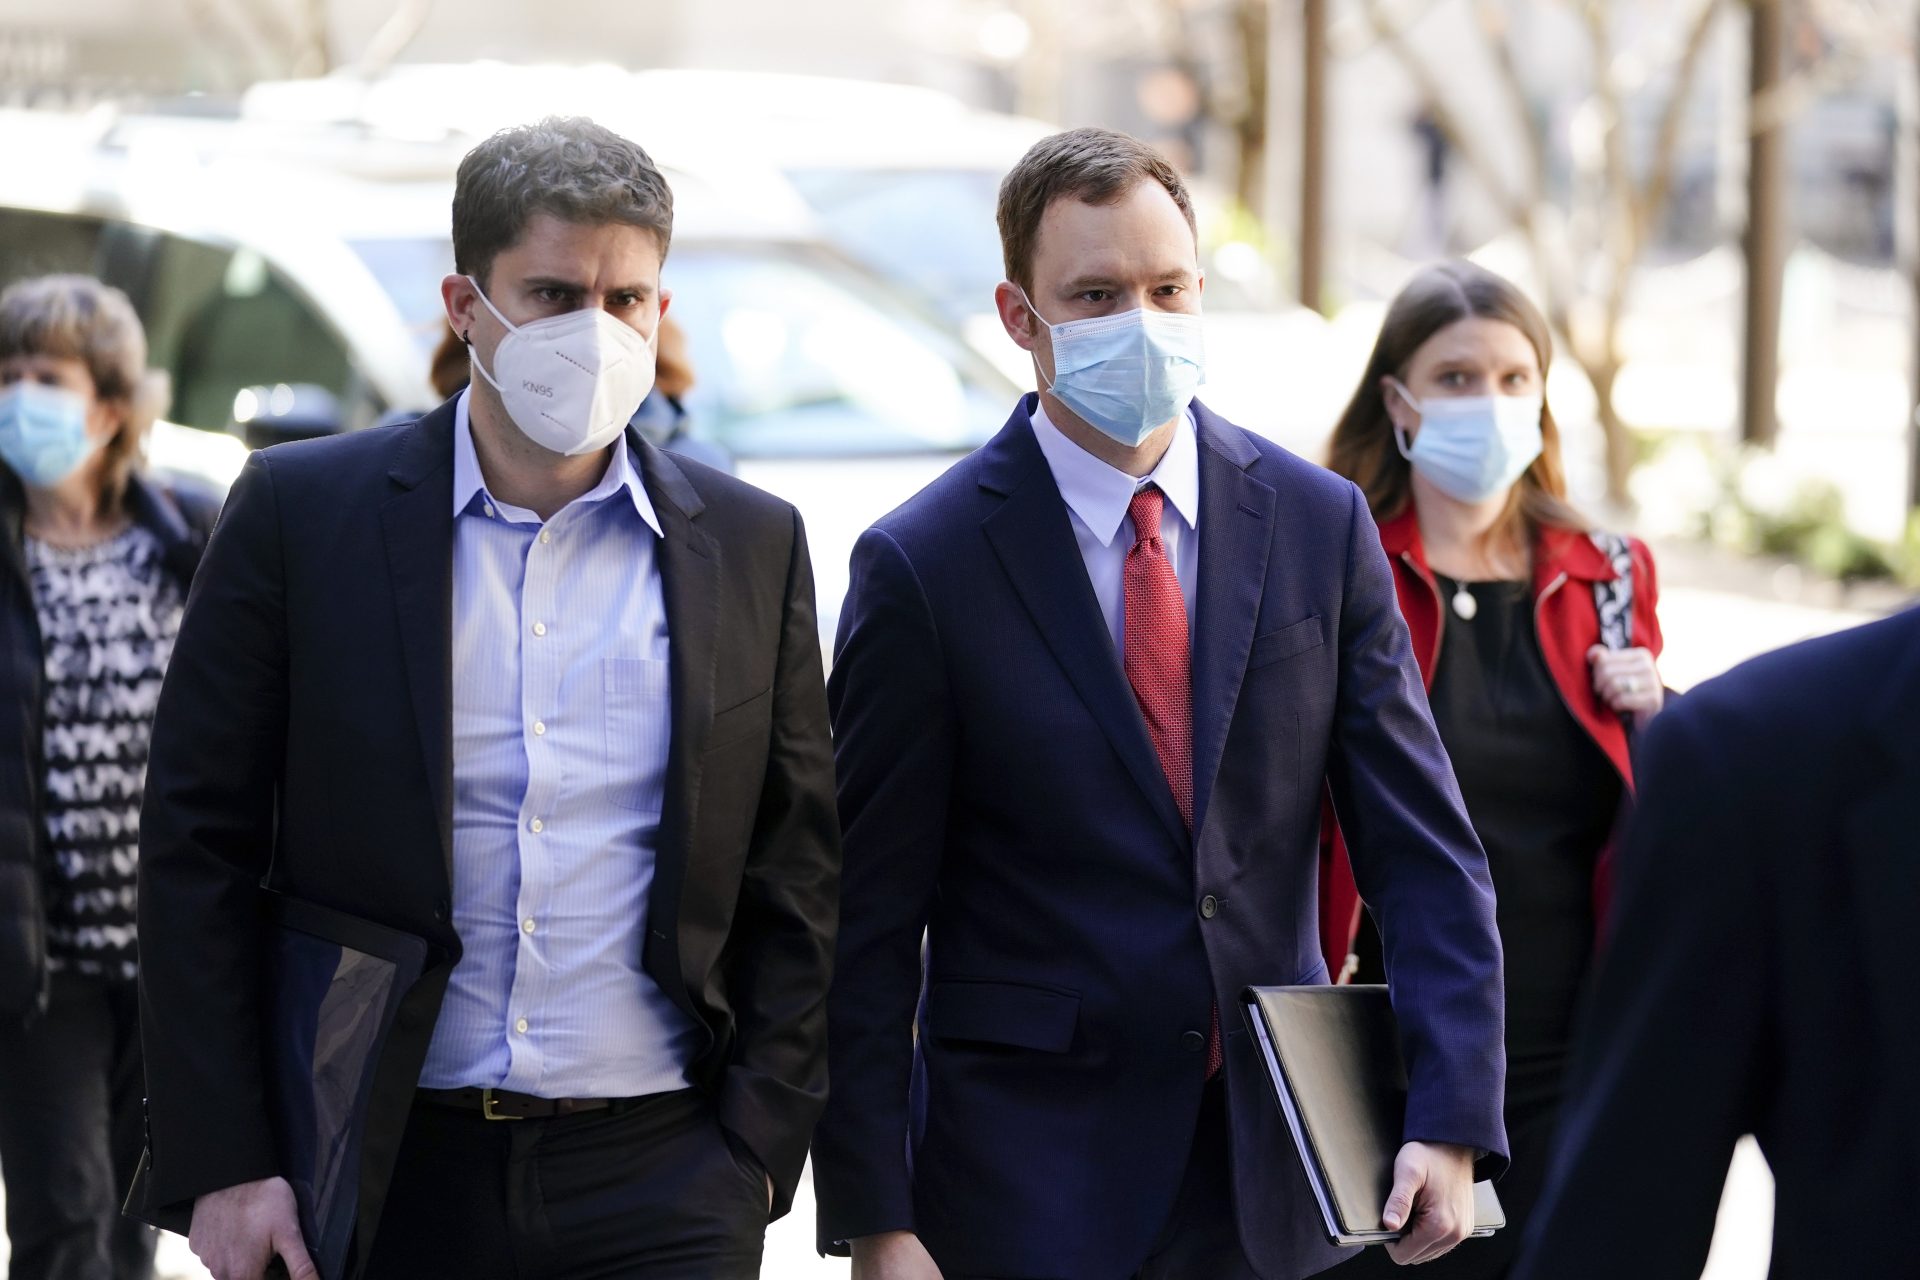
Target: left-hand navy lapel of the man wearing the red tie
column 1034, row 540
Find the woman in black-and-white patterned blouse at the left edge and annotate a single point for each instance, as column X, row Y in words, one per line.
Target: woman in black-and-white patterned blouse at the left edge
column 95, row 565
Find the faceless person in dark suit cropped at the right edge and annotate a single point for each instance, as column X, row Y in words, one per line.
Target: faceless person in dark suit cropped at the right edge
column 1758, row 978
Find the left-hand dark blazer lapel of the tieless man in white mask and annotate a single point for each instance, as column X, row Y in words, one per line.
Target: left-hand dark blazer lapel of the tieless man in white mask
column 420, row 554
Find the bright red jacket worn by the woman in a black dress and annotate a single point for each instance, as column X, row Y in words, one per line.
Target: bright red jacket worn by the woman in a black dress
column 1566, row 569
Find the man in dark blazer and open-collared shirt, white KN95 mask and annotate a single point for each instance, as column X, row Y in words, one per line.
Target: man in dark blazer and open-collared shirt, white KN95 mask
column 517, row 682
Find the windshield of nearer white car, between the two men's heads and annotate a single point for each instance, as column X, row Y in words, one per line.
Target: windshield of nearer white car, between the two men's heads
column 796, row 354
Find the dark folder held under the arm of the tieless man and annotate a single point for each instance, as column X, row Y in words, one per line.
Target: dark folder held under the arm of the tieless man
column 335, row 989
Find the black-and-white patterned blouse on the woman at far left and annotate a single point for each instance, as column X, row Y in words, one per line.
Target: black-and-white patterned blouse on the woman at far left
column 108, row 619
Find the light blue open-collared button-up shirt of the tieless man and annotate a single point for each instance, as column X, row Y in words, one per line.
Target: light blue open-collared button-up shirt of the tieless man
column 560, row 763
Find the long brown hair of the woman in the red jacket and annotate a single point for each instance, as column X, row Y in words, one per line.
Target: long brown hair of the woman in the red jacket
column 1364, row 448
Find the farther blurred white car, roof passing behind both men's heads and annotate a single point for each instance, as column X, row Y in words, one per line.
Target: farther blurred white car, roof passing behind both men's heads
column 900, row 178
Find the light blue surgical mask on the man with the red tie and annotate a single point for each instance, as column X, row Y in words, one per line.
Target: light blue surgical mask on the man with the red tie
column 1130, row 373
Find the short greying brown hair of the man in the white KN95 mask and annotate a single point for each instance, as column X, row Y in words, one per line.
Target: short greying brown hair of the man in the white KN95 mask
column 564, row 166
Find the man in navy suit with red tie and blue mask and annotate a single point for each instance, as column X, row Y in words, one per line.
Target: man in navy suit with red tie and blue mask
column 1086, row 696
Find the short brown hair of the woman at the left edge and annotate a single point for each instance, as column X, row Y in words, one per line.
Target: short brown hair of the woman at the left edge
column 82, row 320
